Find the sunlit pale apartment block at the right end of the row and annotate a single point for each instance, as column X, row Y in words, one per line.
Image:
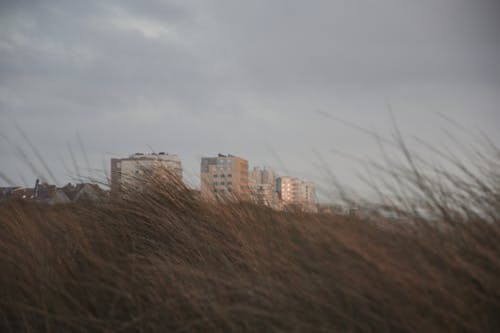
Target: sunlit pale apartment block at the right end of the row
column 297, row 192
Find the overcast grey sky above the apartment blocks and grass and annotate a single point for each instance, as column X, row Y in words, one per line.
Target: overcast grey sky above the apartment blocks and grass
column 275, row 81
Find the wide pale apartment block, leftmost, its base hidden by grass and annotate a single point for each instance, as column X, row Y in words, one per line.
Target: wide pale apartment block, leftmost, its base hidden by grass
column 129, row 169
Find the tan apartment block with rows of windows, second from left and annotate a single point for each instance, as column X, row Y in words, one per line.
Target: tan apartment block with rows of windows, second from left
column 224, row 176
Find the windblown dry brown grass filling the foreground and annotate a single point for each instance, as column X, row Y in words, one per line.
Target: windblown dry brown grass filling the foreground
column 161, row 260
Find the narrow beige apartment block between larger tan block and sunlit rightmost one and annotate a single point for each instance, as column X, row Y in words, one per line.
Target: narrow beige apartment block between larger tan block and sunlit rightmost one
column 263, row 187
